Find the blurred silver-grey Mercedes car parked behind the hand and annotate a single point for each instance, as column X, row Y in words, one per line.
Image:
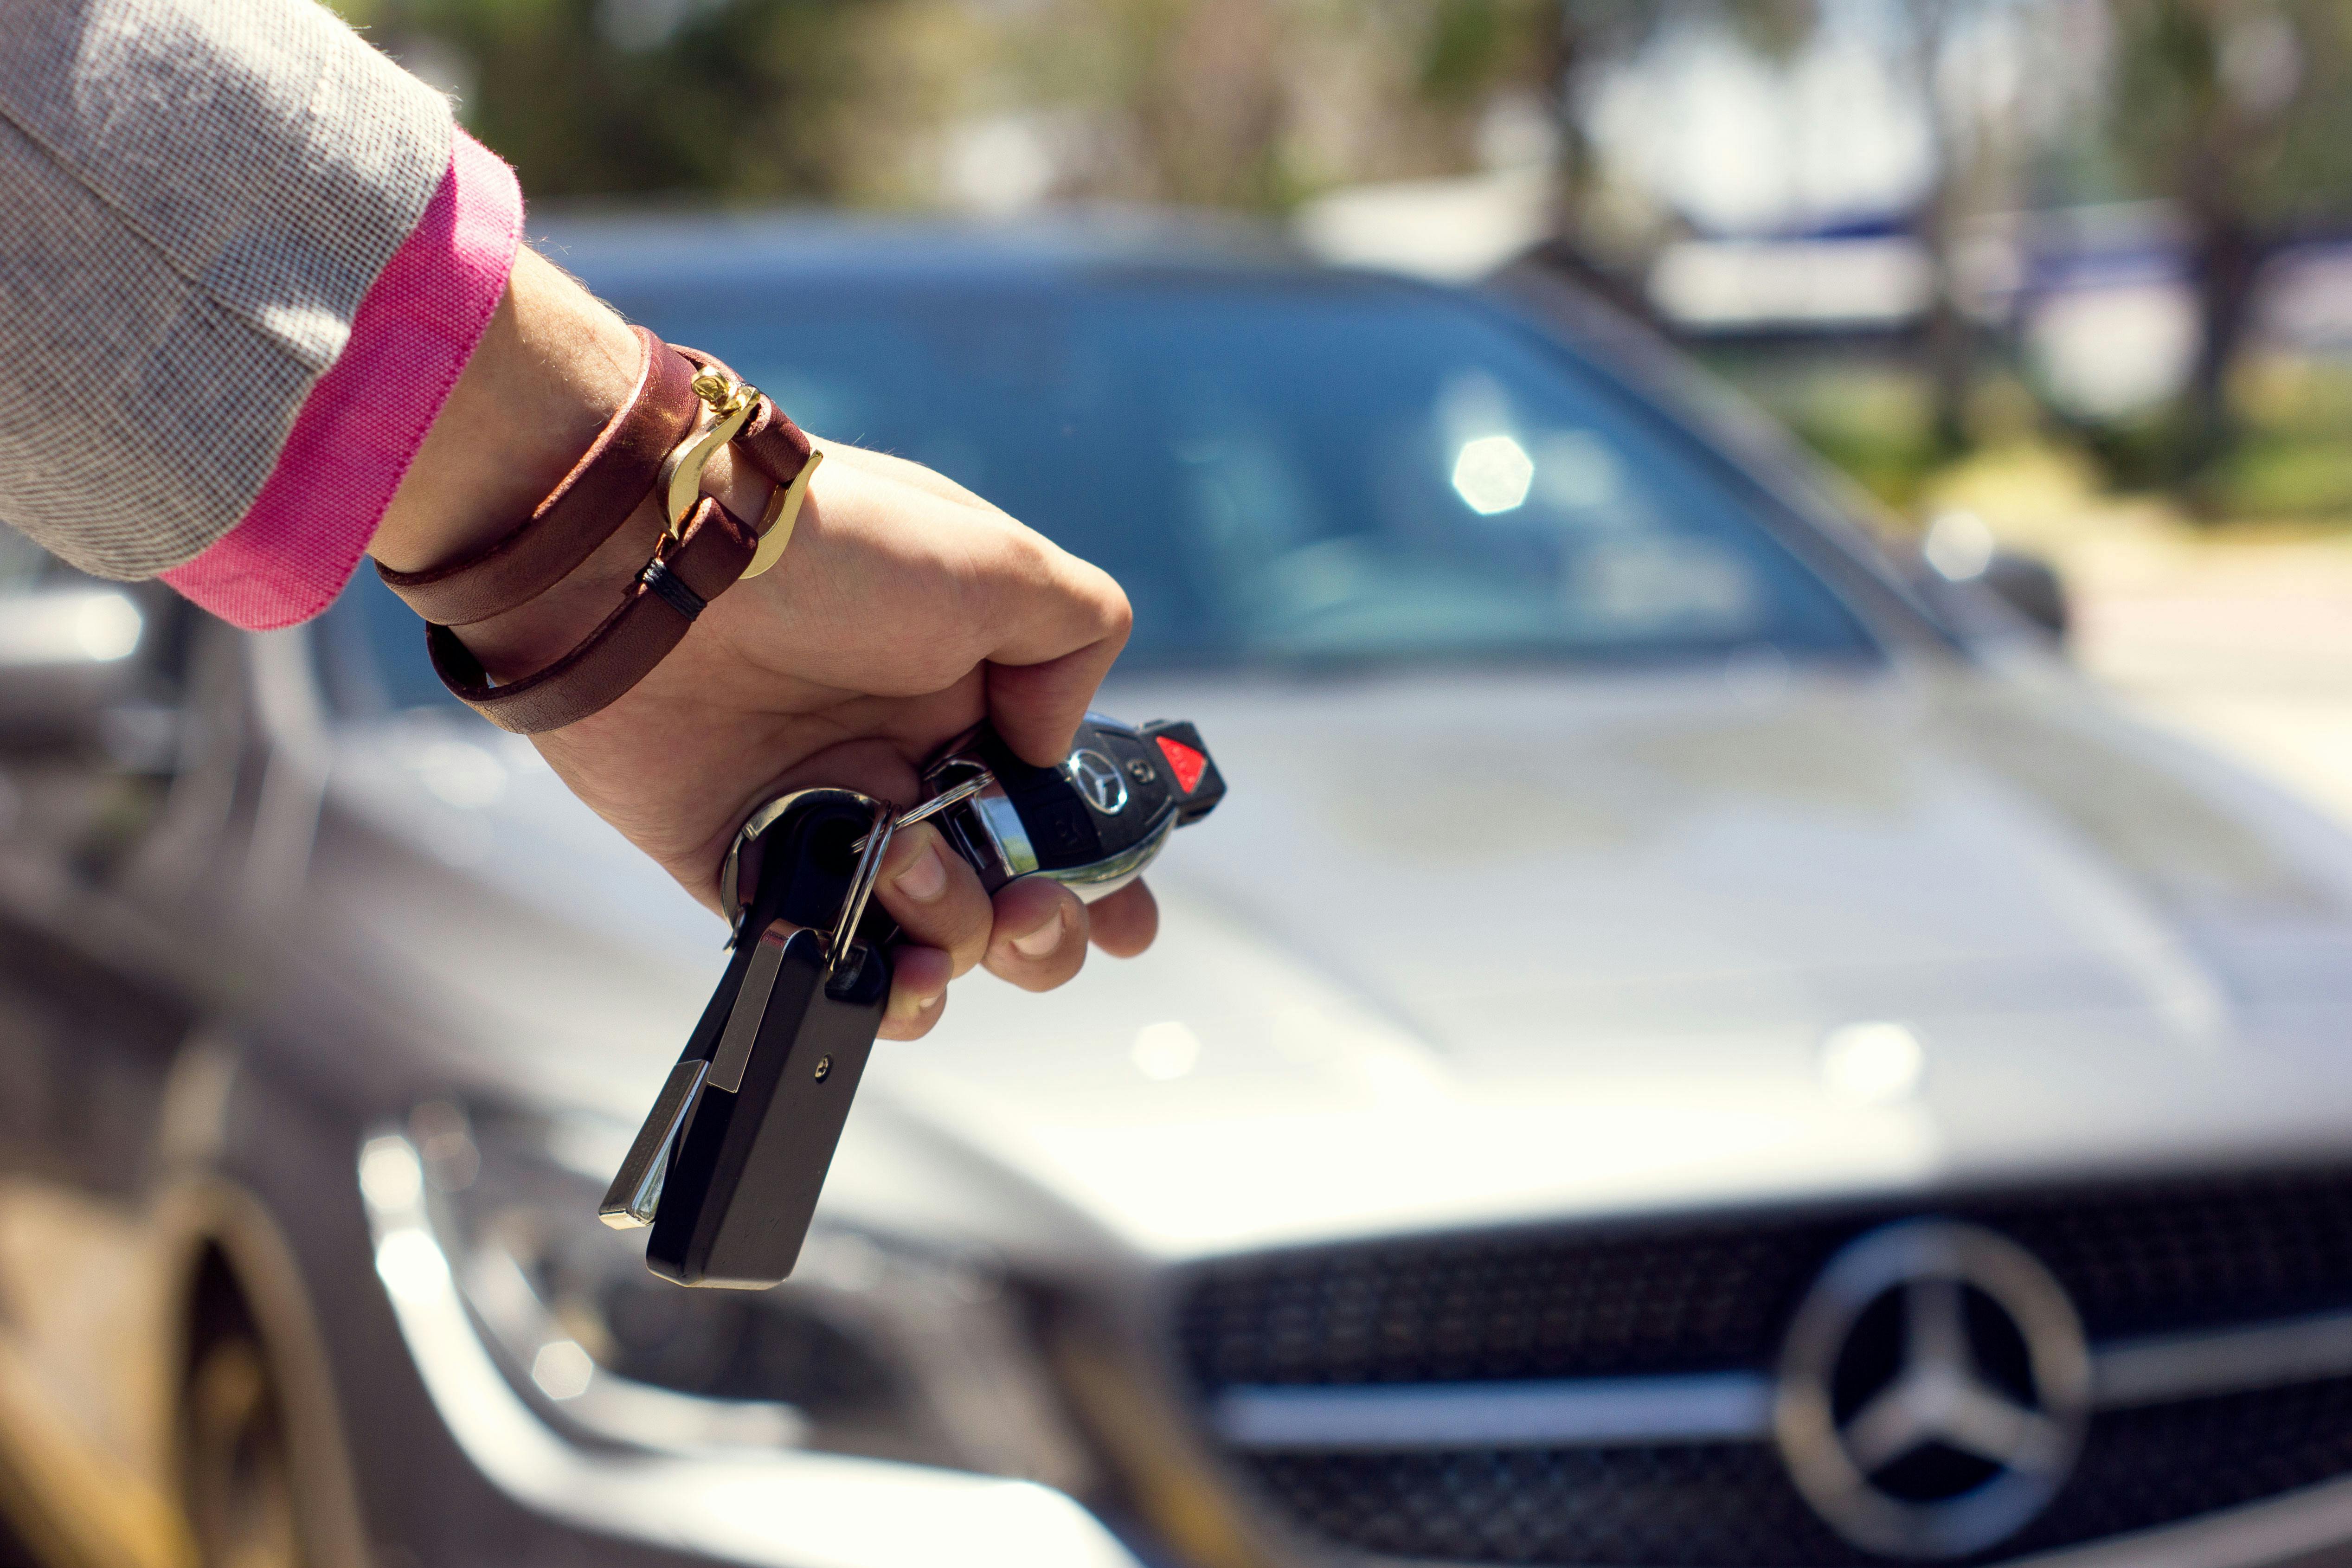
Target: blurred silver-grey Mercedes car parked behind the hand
column 1690, row 1045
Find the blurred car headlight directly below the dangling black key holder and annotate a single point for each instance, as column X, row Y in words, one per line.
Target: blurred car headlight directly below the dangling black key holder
column 876, row 1346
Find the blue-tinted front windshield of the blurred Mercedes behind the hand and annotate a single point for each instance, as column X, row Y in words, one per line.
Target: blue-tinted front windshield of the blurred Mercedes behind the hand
column 1290, row 471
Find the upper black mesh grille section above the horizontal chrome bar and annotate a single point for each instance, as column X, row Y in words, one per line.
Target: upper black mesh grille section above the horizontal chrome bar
column 2189, row 1254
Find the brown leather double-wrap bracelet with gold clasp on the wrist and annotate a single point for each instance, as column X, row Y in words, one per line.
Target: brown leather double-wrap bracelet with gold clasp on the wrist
column 697, row 556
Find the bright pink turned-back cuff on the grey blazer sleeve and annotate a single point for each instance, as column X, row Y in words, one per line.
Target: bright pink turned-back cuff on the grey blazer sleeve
column 363, row 422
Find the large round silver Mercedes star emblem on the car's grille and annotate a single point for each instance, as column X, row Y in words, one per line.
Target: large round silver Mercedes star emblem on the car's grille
column 1935, row 1391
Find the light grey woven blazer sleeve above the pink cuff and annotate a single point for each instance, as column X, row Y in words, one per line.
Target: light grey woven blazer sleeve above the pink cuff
column 194, row 199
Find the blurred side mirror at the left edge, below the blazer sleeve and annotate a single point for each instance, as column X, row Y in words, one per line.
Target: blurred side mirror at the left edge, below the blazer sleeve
column 72, row 652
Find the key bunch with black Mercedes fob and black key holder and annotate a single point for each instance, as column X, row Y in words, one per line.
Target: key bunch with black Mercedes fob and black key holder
column 730, row 1162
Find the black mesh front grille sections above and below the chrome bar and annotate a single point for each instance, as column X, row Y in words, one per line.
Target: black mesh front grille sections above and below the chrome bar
column 1716, row 1296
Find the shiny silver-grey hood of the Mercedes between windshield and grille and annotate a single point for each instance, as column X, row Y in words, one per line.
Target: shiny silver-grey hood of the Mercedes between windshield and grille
column 1497, row 949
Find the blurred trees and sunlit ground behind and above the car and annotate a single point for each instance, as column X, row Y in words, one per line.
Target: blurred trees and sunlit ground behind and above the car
column 2078, row 272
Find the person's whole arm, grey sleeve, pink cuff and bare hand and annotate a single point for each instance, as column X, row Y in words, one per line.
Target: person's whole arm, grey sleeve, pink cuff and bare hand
column 262, row 311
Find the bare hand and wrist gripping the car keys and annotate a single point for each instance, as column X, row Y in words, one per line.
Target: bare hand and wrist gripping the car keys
column 902, row 615
